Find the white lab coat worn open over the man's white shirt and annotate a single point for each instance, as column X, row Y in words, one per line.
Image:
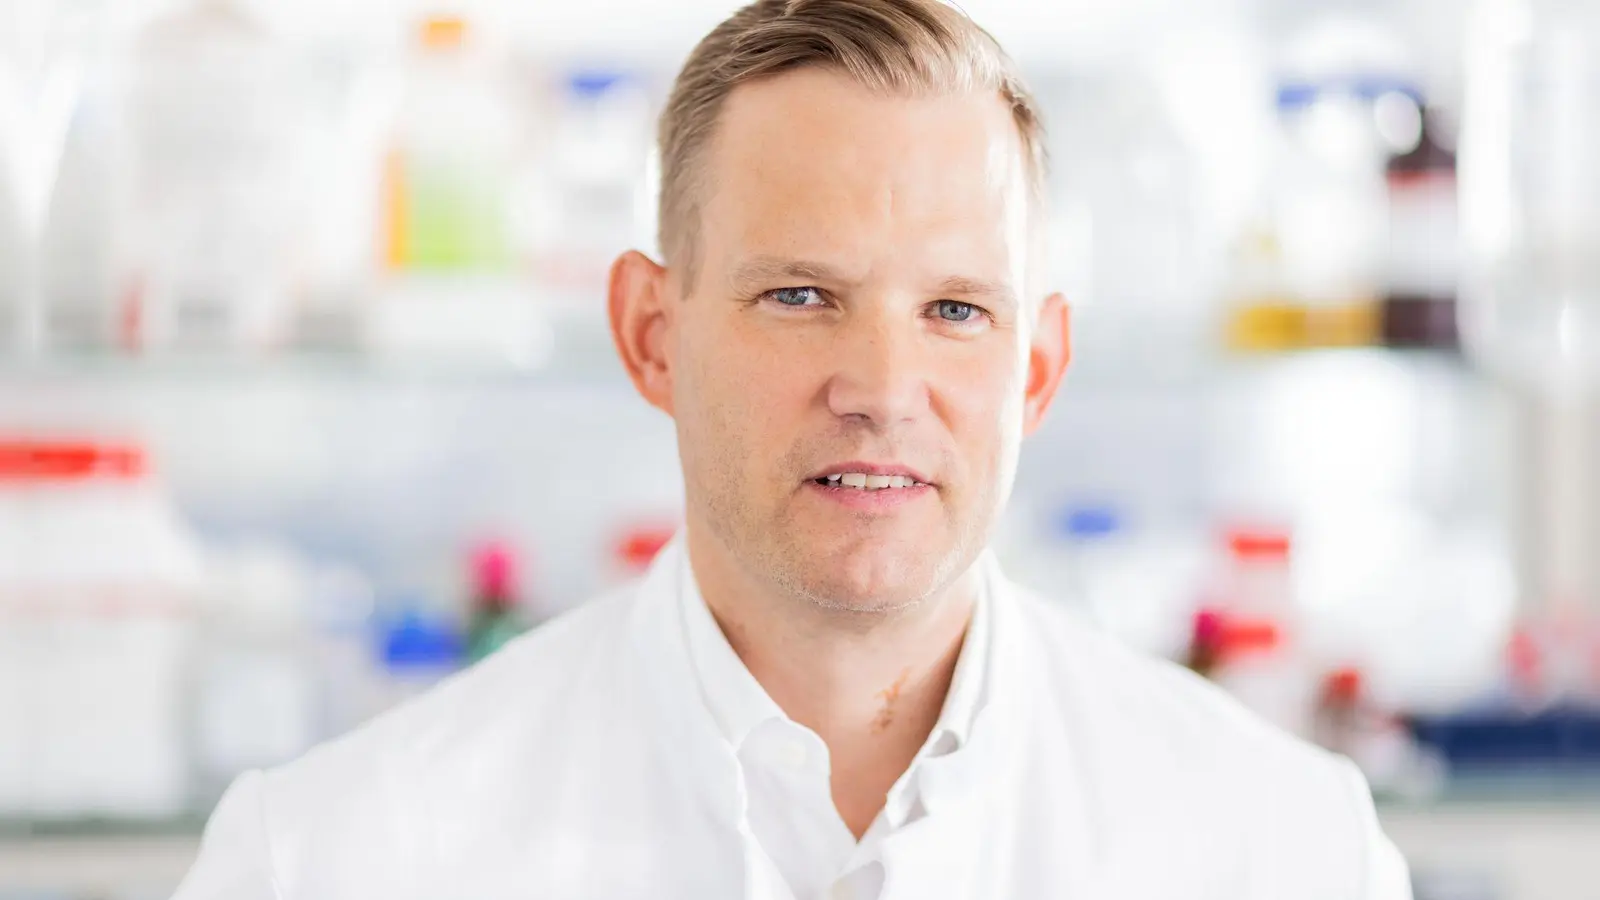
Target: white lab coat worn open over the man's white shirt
column 582, row 763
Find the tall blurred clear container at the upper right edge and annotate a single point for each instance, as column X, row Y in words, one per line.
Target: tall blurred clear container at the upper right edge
column 1530, row 190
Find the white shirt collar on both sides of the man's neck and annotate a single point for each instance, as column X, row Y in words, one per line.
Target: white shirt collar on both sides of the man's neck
column 742, row 705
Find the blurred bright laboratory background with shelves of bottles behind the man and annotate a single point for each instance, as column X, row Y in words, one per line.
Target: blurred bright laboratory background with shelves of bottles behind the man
column 306, row 396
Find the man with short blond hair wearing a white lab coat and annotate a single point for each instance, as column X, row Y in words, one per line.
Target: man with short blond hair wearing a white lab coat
column 825, row 688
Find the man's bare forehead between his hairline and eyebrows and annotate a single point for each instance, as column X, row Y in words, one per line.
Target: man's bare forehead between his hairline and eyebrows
column 815, row 164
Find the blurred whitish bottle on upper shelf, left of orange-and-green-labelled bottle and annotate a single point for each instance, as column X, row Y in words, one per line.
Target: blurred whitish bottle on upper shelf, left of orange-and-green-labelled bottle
column 217, row 198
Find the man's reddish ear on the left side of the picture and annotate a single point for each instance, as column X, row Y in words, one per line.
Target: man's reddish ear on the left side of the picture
column 641, row 324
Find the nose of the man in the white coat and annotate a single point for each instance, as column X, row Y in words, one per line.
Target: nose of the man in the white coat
column 879, row 372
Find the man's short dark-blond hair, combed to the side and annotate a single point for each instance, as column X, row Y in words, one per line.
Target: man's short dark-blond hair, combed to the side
column 887, row 46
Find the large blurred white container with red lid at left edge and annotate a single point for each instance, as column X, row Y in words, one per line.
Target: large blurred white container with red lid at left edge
column 97, row 617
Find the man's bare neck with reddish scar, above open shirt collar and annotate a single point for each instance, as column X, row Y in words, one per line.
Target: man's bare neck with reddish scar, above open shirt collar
column 870, row 685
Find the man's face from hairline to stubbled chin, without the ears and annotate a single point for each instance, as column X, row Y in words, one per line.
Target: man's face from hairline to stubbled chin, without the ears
column 857, row 313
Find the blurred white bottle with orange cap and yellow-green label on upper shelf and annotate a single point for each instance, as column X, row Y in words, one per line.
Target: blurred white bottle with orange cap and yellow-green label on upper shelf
column 447, row 259
